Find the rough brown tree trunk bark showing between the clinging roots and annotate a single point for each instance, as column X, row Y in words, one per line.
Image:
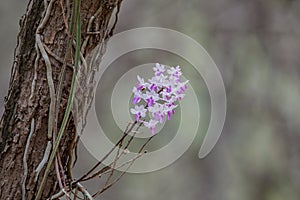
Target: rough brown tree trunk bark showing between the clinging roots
column 28, row 97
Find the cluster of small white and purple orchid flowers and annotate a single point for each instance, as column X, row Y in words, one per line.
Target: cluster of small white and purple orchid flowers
column 158, row 96
